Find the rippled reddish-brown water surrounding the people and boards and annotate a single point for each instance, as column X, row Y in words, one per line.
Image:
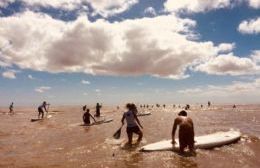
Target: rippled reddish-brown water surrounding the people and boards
column 60, row 141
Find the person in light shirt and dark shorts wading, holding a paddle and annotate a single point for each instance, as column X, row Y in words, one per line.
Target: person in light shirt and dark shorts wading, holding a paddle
column 132, row 120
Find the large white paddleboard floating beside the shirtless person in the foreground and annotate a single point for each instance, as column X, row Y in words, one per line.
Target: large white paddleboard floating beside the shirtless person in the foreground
column 201, row 142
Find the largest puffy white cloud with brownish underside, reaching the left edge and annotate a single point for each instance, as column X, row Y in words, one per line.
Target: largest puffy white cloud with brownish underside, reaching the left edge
column 158, row 46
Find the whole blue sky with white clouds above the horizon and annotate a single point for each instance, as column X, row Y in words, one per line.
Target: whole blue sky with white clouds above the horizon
column 72, row 52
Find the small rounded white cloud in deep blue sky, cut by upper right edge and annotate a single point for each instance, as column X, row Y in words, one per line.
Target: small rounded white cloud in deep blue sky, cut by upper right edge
column 251, row 26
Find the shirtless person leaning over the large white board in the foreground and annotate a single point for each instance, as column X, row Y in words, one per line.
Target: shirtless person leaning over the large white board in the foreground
column 186, row 131
